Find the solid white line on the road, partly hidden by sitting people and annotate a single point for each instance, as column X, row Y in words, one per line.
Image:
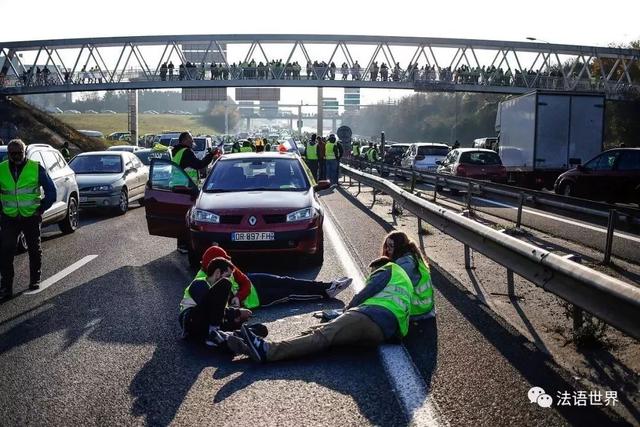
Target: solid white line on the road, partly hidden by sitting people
column 403, row 375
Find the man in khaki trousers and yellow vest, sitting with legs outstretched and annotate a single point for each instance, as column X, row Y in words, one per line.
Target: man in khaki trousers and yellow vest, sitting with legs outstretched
column 378, row 312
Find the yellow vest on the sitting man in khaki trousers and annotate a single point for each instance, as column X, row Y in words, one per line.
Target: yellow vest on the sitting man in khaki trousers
column 396, row 295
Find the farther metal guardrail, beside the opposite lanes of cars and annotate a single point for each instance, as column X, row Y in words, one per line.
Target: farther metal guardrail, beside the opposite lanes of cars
column 537, row 198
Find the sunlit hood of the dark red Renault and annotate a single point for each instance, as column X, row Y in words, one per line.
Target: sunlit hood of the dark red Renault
column 255, row 200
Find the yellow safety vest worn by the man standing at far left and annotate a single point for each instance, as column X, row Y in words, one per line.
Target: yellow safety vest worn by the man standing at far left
column 22, row 197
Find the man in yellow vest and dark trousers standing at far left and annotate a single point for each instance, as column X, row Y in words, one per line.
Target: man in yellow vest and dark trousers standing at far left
column 22, row 209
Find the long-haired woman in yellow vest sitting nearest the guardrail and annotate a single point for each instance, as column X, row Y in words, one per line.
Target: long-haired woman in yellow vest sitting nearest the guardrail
column 403, row 251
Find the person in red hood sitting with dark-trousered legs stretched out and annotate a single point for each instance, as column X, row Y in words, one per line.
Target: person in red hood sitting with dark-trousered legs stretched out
column 255, row 290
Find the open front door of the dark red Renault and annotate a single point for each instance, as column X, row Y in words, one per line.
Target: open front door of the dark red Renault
column 166, row 203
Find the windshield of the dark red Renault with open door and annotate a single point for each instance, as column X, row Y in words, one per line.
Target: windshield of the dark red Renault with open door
column 271, row 174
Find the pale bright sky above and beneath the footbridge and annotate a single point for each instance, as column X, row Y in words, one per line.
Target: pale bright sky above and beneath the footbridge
column 556, row 21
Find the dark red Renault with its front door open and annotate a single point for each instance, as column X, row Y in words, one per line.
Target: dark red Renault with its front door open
column 250, row 203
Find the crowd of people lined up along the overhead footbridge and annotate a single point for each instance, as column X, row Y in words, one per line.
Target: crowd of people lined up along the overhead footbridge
column 420, row 75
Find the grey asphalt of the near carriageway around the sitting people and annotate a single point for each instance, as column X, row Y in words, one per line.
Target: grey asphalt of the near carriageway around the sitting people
column 101, row 346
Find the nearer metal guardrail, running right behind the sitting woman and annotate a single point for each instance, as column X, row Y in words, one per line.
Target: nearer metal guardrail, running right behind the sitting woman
column 615, row 302
